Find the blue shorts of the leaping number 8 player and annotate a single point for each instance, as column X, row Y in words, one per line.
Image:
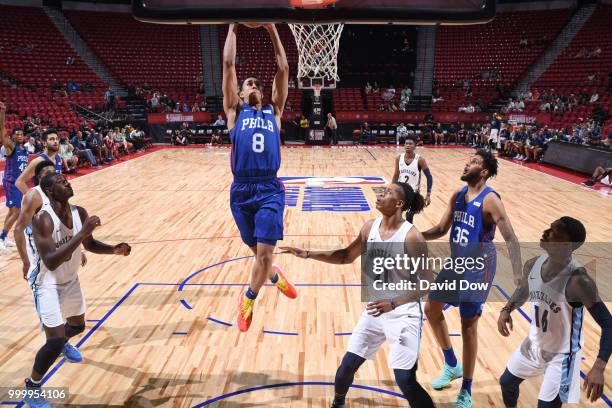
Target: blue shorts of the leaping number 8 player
column 258, row 210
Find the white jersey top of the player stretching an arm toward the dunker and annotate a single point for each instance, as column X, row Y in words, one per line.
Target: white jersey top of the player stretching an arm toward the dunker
column 390, row 248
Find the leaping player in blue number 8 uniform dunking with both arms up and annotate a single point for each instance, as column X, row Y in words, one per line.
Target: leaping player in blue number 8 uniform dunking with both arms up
column 257, row 197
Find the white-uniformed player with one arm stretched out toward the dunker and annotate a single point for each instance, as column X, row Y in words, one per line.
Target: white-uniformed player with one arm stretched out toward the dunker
column 394, row 316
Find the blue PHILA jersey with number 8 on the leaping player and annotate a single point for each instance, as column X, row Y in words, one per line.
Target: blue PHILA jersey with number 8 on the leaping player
column 255, row 144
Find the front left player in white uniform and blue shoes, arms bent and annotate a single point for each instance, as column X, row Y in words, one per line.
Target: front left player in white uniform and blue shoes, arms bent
column 58, row 231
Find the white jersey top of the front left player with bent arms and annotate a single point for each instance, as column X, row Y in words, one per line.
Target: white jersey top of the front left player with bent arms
column 68, row 270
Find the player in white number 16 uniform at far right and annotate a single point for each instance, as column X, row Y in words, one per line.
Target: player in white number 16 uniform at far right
column 558, row 290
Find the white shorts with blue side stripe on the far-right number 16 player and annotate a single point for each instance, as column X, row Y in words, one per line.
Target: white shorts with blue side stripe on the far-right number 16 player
column 561, row 371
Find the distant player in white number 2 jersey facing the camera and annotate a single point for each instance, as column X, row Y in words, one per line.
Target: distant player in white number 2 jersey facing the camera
column 408, row 168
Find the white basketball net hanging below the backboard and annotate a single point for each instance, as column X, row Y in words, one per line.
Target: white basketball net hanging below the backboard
column 317, row 46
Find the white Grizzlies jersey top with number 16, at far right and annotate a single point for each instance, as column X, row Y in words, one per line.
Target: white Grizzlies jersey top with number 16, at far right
column 556, row 326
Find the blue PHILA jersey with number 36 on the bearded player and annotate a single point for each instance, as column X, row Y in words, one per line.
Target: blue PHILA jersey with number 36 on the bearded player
column 470, row 236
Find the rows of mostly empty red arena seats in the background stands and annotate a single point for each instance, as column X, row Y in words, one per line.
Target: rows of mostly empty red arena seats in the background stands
column 167, row 58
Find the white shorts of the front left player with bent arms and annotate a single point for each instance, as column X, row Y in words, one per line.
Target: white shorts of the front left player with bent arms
column 56, row 302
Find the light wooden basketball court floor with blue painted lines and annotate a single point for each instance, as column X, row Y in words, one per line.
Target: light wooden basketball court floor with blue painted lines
column 158, row 331
